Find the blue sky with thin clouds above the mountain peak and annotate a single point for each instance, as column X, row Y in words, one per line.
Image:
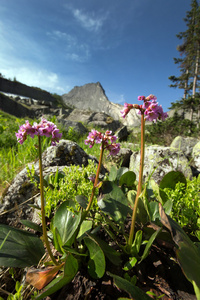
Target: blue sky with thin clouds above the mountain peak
column 126, row 45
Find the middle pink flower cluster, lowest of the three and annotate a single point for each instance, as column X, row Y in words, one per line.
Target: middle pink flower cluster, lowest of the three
column 107, row 140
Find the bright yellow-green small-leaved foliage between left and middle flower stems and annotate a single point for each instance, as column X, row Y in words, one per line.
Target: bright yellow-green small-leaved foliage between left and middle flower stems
column 75, row 182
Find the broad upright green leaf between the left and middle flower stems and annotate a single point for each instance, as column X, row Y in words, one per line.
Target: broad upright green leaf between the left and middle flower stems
column 66, row 223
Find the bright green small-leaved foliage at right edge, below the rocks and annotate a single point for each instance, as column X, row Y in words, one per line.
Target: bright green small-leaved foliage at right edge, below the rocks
column 186, row 205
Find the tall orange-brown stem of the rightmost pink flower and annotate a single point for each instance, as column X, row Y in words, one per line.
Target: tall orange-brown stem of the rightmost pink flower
column 139, row 190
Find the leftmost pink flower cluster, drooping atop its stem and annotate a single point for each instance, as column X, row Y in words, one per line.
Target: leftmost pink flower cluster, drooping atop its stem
column 45, row 127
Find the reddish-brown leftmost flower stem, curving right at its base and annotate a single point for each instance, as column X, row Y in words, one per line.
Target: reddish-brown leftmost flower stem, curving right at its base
column 44, row 229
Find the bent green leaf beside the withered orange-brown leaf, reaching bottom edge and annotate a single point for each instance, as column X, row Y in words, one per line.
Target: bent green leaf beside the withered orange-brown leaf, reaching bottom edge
column 70, row 270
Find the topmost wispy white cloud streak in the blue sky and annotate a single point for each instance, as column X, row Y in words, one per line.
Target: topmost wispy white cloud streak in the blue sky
column 89, row 21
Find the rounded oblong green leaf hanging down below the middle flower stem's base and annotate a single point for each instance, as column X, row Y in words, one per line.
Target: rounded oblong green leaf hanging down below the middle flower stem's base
column 96, row 264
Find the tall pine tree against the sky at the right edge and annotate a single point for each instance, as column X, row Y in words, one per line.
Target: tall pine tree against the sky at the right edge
column 189, row 62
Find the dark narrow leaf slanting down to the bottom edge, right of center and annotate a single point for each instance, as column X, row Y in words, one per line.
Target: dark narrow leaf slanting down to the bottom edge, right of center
column 128, row 287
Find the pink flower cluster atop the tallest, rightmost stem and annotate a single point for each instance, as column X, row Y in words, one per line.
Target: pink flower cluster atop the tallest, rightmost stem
column 152, row 111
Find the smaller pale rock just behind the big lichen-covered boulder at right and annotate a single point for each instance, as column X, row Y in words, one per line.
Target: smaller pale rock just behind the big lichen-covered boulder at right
column 184, row 144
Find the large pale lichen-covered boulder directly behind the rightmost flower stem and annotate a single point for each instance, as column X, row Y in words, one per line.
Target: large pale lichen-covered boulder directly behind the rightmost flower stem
column 159, row 161
